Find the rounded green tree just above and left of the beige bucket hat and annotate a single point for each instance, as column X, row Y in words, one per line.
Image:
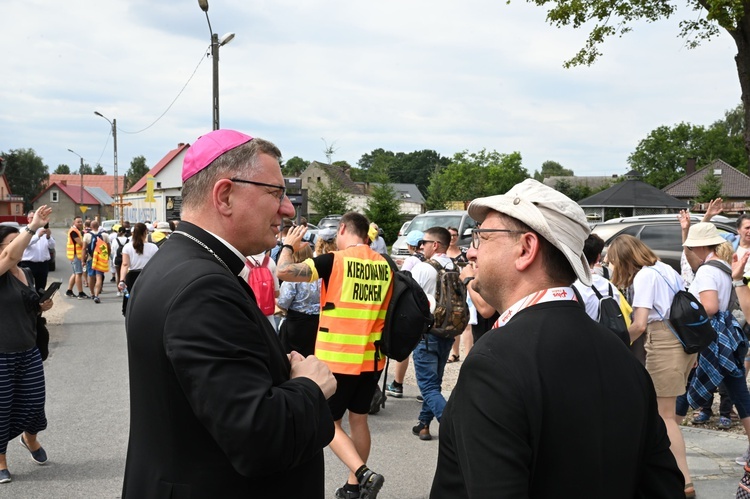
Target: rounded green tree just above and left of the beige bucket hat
column 473, row 175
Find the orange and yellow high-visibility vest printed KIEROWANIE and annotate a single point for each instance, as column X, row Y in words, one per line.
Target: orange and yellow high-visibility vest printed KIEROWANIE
column 353, row 308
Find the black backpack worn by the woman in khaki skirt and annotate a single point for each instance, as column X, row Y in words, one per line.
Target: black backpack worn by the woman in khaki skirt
column 689, row 320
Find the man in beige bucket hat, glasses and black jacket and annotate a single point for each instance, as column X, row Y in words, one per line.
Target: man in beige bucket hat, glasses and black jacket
column 512, row 426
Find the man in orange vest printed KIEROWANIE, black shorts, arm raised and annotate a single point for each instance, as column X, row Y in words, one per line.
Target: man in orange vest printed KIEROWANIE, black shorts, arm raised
column 357, row 287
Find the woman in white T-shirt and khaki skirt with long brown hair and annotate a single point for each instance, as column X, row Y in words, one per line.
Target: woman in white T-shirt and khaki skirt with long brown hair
column 654, row 285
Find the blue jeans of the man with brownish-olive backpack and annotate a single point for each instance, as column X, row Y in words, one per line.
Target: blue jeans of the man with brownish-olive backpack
column 430, row 358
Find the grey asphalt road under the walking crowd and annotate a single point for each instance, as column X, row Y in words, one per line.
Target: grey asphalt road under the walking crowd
column 87, row 410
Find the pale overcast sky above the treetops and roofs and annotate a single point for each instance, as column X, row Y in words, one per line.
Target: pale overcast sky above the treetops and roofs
column 399, row 75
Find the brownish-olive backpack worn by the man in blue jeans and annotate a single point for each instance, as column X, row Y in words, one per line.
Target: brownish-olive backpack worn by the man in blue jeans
column 451, row 310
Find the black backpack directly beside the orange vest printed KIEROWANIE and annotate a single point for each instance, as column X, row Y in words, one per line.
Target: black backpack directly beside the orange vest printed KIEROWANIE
column 407, row 318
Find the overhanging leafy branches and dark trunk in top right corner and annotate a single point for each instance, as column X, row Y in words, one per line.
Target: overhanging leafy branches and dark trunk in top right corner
column 606, row 18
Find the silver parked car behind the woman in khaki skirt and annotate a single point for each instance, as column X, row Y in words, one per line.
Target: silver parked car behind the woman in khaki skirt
column 661, row 233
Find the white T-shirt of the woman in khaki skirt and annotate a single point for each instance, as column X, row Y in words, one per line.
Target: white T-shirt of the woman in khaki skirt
column 652, row 291
